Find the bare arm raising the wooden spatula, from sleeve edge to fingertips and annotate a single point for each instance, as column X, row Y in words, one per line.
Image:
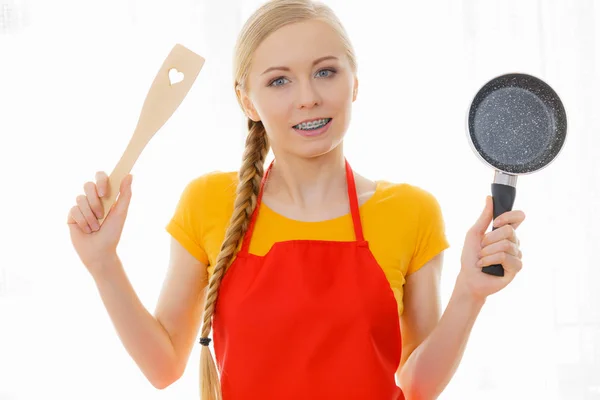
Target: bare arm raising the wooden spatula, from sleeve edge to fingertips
column 160, row 344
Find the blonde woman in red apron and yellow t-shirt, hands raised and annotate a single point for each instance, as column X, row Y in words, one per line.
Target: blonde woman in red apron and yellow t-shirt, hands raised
column 305, row 271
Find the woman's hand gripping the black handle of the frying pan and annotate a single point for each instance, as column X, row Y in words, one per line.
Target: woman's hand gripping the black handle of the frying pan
column 500, row 246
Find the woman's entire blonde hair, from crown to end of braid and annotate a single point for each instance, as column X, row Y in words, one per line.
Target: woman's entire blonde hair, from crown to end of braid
column 264, row 21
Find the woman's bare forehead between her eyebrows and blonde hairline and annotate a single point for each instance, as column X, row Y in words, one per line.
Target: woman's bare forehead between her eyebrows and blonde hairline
column 297, row 45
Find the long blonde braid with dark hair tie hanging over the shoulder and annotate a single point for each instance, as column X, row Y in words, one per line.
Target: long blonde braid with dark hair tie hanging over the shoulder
column 250, row 176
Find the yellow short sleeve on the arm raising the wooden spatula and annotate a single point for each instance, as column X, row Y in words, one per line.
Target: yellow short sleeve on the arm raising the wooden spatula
column 185, row 225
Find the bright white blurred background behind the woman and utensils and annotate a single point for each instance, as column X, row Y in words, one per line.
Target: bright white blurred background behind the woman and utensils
column 74, row 75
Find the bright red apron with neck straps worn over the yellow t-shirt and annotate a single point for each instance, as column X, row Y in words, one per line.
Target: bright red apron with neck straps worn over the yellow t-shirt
column 311, row 319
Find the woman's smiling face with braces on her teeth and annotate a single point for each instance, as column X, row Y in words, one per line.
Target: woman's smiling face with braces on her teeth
column 301, row 73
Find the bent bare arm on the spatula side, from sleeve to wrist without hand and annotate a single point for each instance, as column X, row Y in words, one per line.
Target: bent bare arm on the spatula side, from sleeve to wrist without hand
column 161, row 344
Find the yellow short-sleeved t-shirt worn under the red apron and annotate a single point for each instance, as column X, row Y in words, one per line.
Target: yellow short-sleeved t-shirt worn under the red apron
column 402, row 223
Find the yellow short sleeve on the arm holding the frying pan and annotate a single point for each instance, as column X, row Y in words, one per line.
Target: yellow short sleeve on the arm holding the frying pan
column 431, row 233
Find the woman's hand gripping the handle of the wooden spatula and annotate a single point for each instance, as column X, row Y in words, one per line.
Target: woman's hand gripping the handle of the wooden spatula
column 93, row 243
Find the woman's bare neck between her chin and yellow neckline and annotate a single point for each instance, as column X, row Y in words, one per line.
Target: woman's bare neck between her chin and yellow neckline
column 309, row 182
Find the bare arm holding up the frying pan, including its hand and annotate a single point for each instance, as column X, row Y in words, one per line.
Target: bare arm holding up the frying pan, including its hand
column 432, row 346
